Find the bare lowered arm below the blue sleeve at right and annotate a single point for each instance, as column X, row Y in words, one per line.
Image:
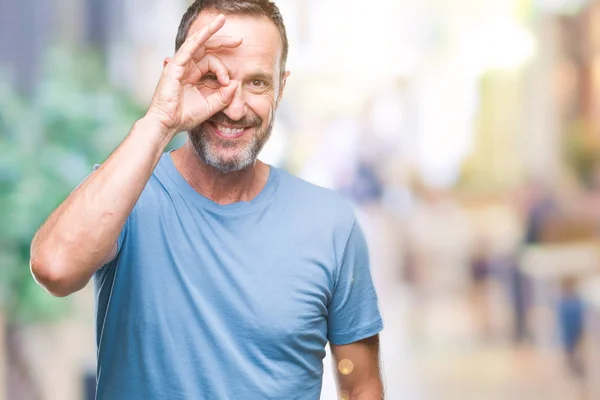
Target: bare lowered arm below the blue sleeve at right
column 357, row 369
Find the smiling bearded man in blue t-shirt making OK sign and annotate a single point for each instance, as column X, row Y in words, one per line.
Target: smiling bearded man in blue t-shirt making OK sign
column 217, row 276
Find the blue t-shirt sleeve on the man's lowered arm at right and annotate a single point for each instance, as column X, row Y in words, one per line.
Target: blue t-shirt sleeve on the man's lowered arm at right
column 353, row 311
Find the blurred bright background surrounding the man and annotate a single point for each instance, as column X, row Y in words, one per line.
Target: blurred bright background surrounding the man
column 466, row 132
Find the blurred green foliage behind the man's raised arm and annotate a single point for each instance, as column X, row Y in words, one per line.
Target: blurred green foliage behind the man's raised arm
column 48, row 144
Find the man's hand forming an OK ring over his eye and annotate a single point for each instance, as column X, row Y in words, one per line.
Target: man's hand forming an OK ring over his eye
column 177, row 104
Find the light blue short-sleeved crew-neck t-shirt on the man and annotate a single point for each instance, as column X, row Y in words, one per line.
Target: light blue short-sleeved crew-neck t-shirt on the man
column 208, row 301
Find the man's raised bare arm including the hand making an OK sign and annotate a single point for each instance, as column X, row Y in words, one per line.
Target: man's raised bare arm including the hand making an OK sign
column 81, row 234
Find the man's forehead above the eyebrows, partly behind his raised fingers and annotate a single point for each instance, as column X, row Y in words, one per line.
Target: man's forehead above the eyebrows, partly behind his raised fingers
column 259, row 34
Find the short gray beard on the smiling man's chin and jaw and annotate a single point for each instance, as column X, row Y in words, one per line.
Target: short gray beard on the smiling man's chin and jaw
column 207, row 147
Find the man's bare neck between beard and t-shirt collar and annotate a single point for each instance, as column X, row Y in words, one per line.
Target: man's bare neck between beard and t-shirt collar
column 222, row 188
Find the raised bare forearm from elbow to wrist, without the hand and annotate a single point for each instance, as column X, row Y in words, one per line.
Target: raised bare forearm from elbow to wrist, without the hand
column 82, row 232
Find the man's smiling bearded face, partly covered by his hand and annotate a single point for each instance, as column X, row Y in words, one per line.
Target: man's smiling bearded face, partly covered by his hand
column 231, row 139
